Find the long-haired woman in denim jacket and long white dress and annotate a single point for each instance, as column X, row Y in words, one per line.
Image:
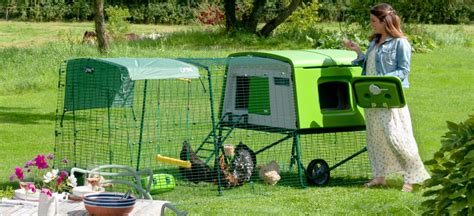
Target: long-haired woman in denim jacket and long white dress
column 390, row 142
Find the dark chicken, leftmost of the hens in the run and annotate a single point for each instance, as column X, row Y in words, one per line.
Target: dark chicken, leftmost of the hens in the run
column 199, row 170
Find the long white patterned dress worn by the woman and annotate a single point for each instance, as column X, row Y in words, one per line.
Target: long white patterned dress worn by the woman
column 391, row 145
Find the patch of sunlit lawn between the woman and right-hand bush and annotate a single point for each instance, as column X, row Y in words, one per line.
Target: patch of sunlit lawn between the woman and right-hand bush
column 441, row 90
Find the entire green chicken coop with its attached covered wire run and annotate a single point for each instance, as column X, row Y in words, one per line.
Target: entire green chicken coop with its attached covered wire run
column 297, row 109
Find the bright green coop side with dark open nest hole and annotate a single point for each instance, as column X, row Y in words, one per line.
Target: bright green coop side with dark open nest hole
column 318, row 87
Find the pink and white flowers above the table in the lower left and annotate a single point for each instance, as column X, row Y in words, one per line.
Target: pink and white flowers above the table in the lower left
column 35, row 174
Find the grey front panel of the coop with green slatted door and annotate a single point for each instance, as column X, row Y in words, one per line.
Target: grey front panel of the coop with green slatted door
column 241, row 96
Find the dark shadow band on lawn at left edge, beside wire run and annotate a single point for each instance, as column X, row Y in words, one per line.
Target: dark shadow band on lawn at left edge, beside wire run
column 9, row 116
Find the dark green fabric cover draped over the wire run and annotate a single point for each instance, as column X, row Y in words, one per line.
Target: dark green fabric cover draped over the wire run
column 99, row 83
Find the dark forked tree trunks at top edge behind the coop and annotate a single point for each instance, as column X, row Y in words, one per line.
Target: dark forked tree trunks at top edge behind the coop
column 249, row 23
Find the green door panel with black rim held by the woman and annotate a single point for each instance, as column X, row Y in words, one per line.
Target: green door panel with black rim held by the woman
column 378, row 92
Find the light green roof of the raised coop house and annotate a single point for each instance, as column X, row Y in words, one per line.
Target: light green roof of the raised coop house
column 307, row 58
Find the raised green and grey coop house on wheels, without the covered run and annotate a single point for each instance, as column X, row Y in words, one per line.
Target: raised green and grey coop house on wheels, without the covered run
column 315, row 97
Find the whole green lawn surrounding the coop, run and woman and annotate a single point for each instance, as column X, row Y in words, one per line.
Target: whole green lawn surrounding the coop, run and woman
column 441, row 90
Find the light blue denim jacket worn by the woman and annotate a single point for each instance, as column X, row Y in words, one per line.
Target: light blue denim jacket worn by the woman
column 392, row 59
